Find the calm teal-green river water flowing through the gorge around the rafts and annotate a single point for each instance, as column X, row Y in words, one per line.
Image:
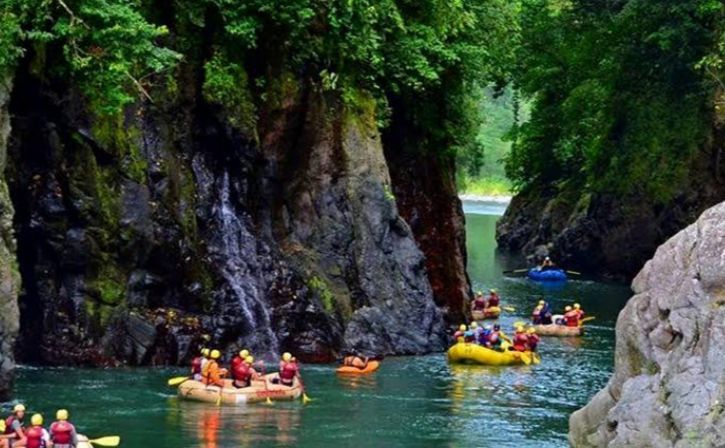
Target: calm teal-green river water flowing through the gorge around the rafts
column 409, row 402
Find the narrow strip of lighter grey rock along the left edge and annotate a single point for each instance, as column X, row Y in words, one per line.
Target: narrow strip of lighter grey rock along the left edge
column 9, row 281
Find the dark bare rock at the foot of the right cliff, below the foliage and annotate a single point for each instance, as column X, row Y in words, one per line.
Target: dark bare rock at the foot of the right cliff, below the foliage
column 606, row 235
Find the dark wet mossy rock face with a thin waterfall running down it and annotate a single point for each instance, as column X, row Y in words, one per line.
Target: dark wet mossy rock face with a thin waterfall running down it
column 142, row 239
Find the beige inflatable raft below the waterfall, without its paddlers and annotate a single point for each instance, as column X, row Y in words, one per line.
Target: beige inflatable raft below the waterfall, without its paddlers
column 260, row 390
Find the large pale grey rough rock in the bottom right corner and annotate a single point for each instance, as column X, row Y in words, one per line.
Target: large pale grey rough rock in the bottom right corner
column 667, row 388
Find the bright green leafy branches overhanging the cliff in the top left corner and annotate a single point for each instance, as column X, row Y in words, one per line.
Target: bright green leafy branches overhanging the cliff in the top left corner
column 106, row 46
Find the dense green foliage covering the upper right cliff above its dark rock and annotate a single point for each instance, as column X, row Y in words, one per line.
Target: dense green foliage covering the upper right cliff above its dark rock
column 621, row 102
